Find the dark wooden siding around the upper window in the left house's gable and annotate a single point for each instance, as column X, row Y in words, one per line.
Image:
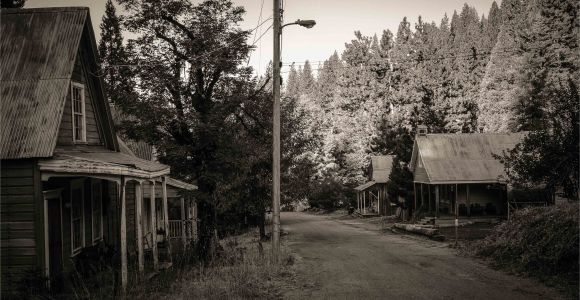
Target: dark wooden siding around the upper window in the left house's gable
column 65, row 134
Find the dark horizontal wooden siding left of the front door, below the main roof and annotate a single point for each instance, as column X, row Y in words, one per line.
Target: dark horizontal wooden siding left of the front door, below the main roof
column 20, row 243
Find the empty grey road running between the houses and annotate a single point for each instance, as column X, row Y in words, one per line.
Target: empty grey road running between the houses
column 345, row 260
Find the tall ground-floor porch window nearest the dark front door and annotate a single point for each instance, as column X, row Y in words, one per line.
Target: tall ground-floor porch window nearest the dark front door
column 77, row 216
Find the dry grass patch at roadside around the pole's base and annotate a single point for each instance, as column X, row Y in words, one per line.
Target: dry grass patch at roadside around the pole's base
column 245, row 270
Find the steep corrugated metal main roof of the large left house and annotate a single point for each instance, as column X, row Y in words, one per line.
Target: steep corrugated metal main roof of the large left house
column 38, row 50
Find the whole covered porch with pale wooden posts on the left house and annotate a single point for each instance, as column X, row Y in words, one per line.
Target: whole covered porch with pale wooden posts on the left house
column 136, row 212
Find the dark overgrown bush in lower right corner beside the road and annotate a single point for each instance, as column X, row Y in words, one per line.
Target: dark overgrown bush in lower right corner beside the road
column 539, row 241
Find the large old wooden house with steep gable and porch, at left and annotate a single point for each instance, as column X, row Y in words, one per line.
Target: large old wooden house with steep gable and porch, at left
column 69, row 186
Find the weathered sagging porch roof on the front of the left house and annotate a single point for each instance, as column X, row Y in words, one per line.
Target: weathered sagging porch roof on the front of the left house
column 102, row 162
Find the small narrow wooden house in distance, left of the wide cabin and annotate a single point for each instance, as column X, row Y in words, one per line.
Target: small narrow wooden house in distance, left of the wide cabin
column 372, row 196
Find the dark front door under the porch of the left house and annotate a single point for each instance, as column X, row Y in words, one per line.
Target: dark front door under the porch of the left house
column 54, row 233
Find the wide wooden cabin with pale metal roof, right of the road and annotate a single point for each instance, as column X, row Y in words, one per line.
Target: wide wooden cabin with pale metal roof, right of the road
column 457, row 175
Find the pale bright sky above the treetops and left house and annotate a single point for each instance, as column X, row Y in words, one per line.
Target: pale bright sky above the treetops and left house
column 336, row 22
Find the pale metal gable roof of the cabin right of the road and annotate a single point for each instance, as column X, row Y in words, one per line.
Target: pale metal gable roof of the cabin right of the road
column 462, row 158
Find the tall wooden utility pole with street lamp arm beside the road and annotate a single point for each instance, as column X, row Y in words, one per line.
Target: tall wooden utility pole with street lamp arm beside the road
column 276, row 123
